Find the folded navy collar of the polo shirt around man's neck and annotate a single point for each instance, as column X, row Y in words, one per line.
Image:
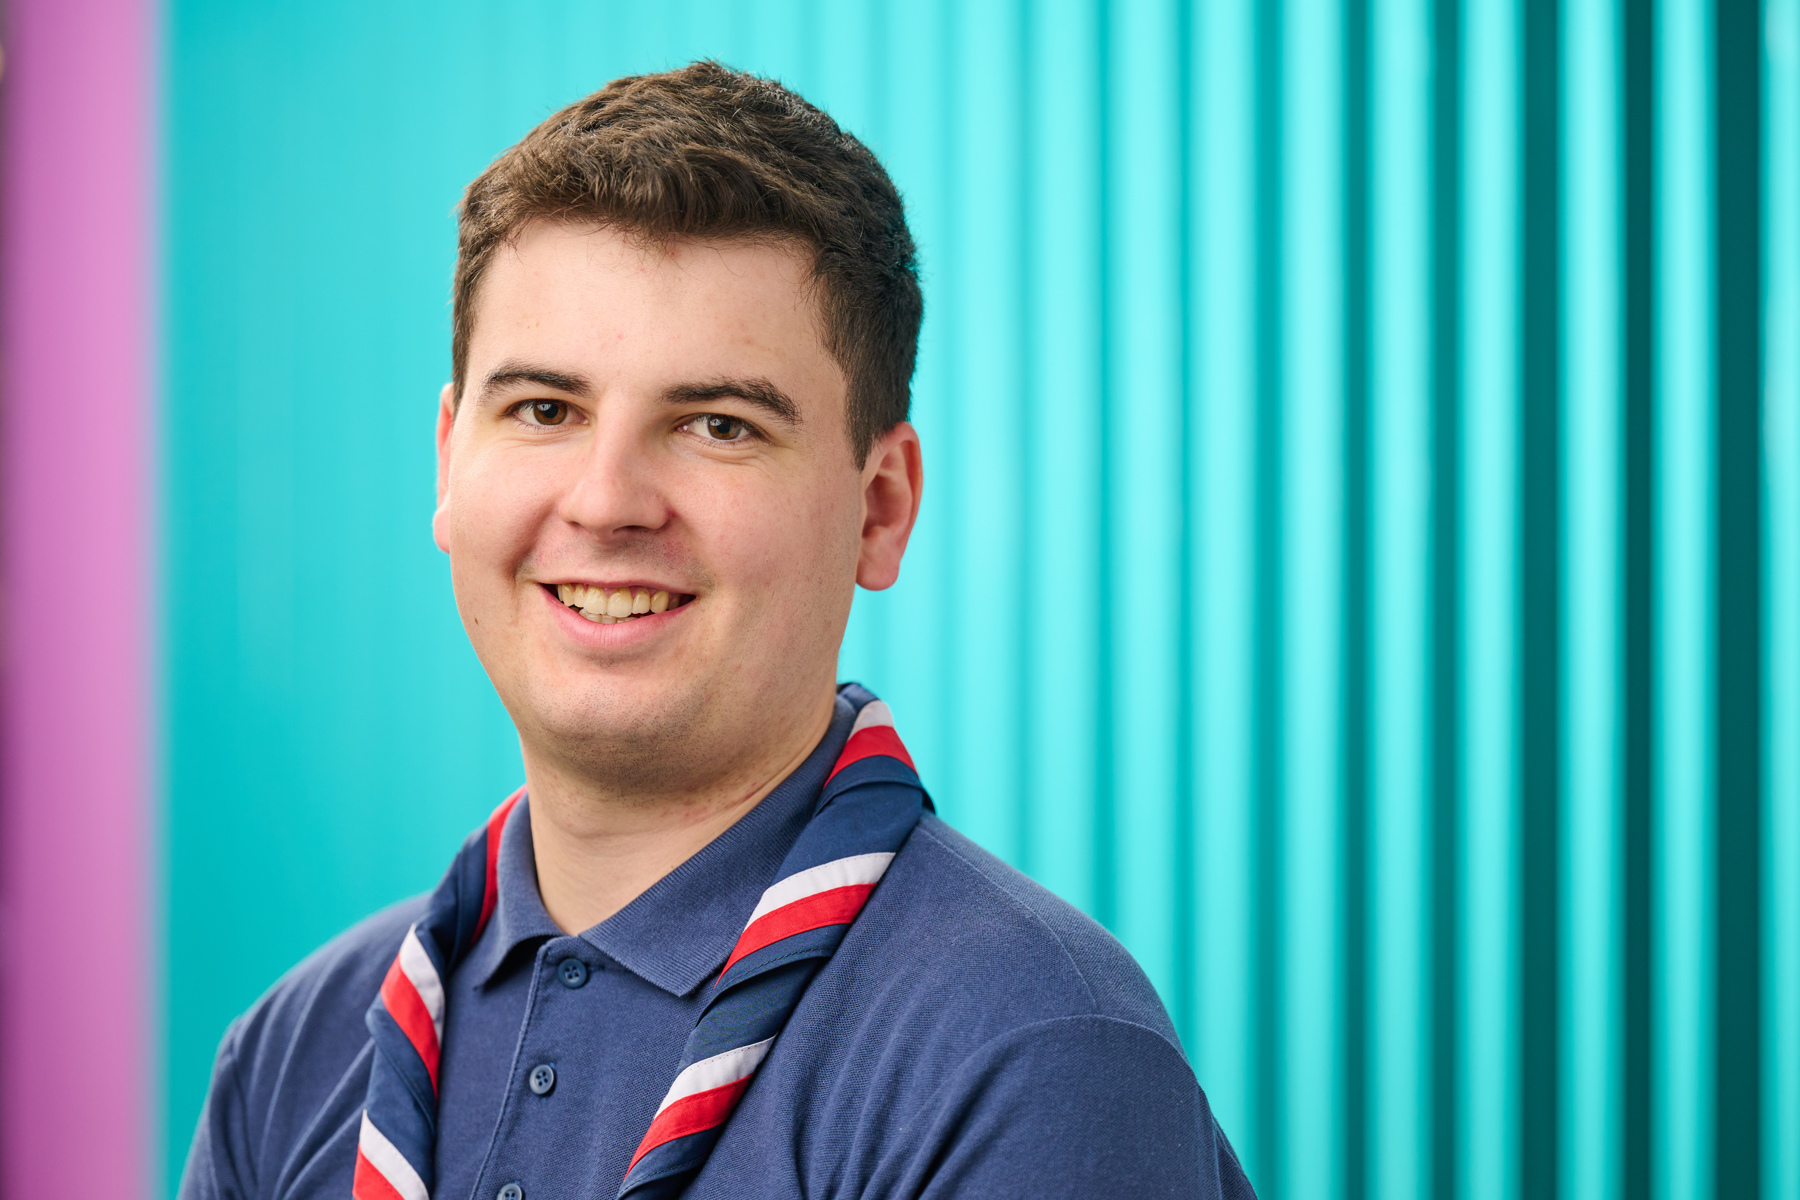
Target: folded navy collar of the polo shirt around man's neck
column 683, row 927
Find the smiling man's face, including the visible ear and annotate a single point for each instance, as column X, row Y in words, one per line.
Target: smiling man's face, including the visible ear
column 660, row 427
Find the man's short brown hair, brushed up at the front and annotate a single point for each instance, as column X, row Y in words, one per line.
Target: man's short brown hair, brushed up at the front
column 708, row 152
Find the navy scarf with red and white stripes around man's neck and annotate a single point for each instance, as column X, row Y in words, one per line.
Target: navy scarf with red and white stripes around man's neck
column 870, row 803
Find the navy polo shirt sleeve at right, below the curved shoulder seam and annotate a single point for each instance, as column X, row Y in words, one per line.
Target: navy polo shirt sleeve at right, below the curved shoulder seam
column 1088, row 1107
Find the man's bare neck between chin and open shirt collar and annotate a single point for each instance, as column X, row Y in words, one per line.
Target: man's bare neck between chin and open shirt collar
column 598, row 848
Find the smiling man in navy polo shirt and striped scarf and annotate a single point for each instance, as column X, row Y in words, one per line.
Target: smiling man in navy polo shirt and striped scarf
column 717, row 945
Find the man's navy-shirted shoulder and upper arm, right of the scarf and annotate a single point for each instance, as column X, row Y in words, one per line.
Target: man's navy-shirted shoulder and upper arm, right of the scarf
column 976, row 1035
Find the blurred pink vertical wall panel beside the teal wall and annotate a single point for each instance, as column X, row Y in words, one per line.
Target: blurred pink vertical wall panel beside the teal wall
column 76, row 427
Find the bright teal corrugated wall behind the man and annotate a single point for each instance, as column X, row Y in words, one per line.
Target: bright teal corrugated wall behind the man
column 1360, row 564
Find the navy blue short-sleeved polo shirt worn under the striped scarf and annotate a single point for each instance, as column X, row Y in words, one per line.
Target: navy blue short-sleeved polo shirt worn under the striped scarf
column 973, row 1037
